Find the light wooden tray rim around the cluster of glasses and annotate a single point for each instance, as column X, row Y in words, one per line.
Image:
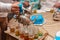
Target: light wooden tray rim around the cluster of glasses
column 18, row 37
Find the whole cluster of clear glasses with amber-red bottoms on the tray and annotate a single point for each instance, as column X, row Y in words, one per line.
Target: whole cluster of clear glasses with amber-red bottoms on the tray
column 25, row 32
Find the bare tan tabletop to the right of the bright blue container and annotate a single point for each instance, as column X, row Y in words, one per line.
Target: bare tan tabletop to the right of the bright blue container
column 50, row 26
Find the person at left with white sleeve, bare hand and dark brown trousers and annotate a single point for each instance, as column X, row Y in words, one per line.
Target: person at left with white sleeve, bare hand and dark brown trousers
column 7, row 7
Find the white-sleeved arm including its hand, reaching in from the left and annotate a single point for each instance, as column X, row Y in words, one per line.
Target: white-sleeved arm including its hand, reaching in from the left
column 8, row 7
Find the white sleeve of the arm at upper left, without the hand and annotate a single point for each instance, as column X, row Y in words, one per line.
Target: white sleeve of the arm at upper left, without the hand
column 5, row 7
